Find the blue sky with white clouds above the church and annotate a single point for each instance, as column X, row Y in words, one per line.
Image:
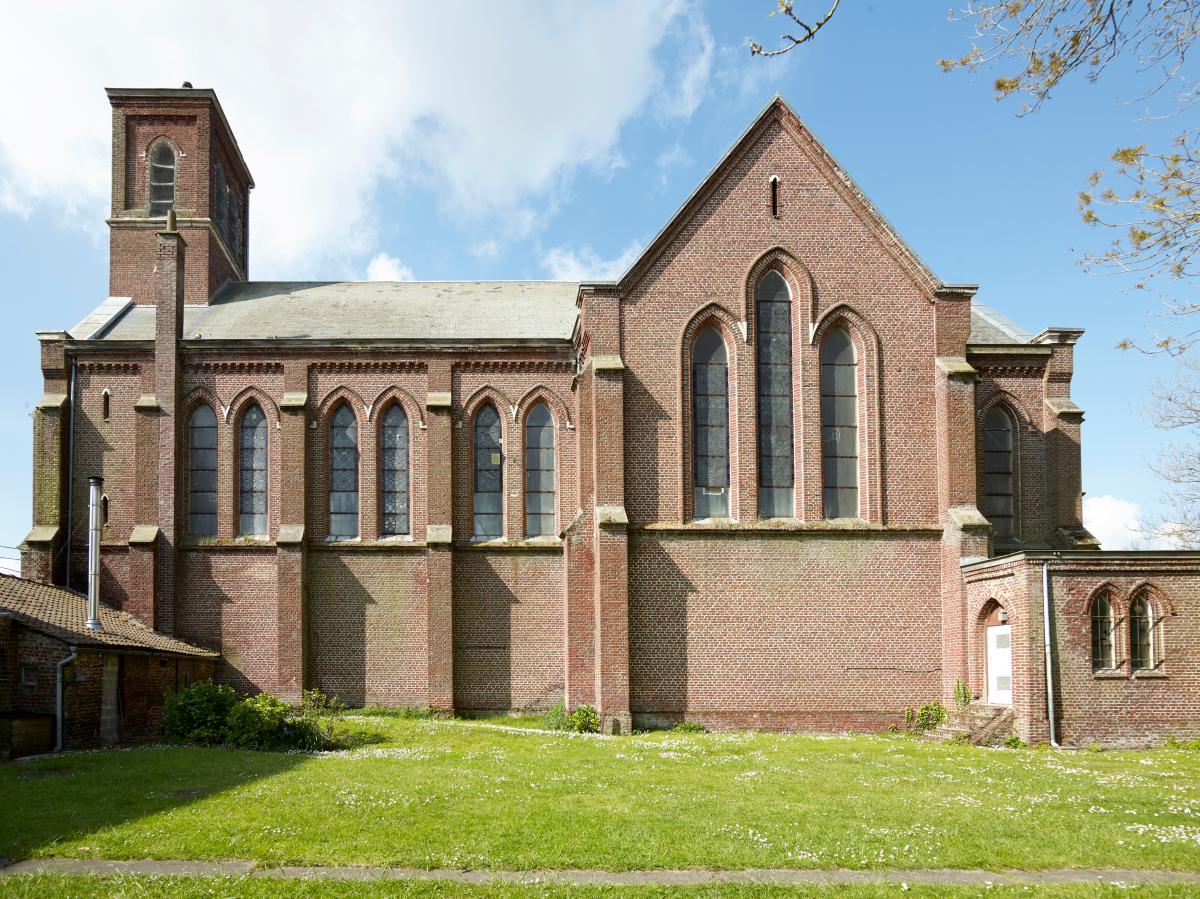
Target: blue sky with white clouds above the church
column 543, row 141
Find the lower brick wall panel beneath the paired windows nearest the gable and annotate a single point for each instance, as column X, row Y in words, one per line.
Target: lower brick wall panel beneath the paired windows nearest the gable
column 508, row 628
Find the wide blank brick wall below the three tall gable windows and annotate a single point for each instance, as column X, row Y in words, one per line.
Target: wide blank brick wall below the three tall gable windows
column 794, row 630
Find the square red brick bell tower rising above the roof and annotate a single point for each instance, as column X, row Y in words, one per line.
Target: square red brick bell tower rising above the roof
column 173, row 149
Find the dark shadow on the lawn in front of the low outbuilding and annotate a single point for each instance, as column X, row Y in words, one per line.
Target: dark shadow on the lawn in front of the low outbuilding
column 62, row 800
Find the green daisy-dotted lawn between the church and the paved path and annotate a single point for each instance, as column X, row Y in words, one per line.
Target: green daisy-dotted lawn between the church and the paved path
column 472, row 795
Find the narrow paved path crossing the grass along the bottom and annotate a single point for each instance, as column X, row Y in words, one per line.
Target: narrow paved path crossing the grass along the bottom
column 952, row 877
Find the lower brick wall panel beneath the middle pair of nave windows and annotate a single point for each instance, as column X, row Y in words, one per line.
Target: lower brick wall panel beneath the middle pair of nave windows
column 367, row 626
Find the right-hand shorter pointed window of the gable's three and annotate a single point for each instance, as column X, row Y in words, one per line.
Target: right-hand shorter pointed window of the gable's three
column 839, row 425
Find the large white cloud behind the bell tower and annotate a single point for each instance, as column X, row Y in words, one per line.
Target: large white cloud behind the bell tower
column 494, row 107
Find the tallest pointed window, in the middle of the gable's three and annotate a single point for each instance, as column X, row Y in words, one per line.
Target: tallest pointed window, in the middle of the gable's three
column 773, row 334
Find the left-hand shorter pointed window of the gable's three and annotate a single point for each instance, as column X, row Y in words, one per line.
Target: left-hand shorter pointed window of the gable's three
column 711, row 425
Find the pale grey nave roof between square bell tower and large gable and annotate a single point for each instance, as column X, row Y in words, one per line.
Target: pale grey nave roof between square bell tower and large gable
column 439, row 311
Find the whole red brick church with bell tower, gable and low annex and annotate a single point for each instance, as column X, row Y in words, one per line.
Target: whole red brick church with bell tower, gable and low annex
column 779, row 475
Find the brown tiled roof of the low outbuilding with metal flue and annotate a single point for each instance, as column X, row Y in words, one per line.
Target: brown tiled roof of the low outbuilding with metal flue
column 63, row 614
